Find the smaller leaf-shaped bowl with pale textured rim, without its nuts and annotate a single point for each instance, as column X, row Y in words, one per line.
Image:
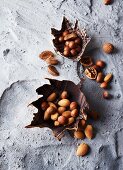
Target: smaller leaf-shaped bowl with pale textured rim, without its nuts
column 81, row 33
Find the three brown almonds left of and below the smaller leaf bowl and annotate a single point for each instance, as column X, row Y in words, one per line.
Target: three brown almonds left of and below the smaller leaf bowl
column 50, row 59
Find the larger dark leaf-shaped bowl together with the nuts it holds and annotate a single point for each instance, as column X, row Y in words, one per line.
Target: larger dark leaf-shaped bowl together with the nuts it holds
column 61, row 108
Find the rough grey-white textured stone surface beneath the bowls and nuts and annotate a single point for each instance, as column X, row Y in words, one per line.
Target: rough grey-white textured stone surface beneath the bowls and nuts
column 24, row 33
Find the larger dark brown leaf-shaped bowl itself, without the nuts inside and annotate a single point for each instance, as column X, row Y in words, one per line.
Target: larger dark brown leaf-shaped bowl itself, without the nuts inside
column 57, row 87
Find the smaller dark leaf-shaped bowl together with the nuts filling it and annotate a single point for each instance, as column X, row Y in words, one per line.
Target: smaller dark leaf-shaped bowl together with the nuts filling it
column 70, row 41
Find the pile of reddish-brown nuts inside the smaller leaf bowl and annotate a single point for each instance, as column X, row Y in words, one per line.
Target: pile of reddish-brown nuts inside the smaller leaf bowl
column 71, row 43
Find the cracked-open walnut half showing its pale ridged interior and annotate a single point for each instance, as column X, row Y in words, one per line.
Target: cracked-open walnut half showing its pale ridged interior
column 91, row 73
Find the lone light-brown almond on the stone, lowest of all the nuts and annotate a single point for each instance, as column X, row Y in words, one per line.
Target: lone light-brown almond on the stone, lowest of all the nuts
column 82, row 149
